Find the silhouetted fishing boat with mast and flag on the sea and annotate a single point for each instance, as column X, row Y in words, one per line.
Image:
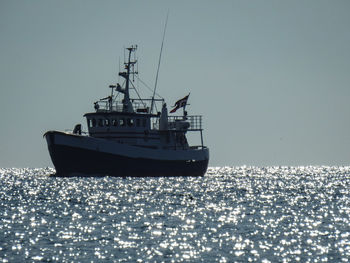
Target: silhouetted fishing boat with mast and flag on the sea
column 131, row 136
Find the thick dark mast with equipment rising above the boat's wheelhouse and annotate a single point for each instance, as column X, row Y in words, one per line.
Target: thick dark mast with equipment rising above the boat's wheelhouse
column 129, row 66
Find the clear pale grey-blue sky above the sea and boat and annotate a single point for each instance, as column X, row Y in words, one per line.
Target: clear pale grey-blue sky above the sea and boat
column 272, row 78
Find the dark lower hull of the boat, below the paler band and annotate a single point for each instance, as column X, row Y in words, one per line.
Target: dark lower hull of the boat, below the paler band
column 74, row 161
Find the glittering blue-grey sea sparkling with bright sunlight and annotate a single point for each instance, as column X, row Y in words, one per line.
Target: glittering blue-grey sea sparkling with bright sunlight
column 232, row 214
